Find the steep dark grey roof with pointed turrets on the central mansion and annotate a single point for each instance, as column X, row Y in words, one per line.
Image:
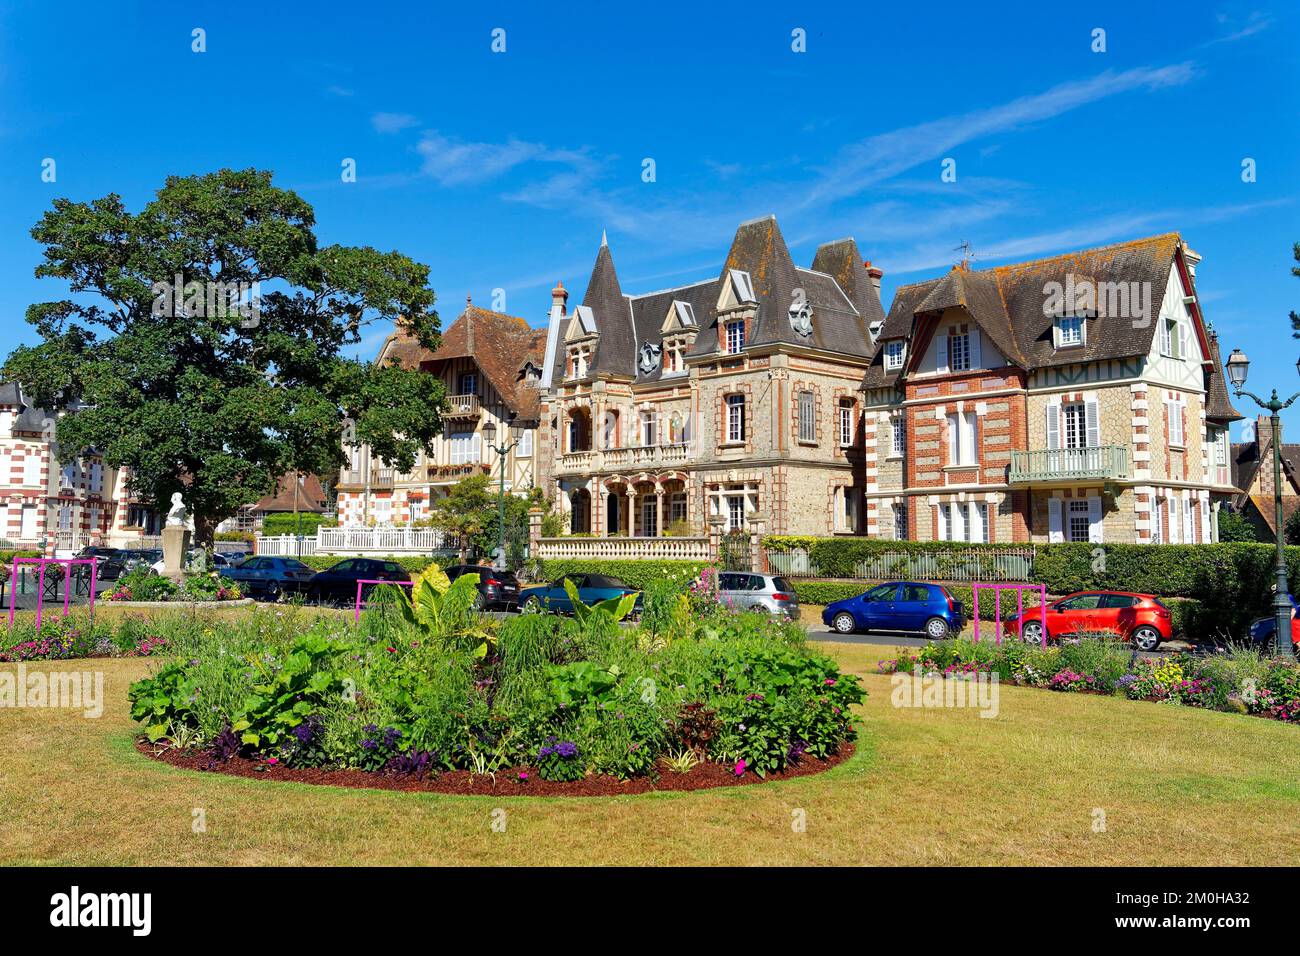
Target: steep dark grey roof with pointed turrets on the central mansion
column 839, row 289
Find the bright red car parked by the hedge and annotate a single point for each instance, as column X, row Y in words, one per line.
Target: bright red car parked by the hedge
column 1141, row 618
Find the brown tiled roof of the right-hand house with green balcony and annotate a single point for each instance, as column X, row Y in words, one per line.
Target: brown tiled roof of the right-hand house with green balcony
column 1008, row 304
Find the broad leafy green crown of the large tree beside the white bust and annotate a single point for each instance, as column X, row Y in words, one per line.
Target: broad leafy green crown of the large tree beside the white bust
column 197, row 393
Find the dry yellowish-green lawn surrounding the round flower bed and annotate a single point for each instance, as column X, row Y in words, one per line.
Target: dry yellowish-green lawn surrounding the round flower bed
column 1177, row 786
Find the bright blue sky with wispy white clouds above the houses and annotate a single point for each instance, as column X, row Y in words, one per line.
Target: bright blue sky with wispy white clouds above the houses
column 501, row 170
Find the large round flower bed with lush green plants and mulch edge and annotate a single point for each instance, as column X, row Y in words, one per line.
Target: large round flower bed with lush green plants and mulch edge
column 426, row 693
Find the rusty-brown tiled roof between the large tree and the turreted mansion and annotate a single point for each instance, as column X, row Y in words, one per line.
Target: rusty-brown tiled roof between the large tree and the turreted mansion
column 501, row 345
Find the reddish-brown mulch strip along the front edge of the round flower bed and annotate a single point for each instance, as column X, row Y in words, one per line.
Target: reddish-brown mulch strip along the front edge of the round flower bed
column 462, row 782
